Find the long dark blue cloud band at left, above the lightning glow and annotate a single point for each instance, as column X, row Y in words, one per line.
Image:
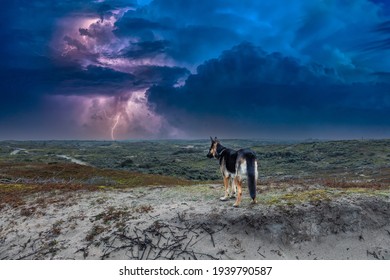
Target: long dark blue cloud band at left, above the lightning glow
column 23, row 91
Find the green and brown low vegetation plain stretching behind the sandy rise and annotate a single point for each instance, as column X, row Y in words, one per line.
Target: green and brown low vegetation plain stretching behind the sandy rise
column 46, row 166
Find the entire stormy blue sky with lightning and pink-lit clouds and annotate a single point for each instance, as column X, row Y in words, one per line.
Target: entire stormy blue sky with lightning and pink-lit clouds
column 189, row 69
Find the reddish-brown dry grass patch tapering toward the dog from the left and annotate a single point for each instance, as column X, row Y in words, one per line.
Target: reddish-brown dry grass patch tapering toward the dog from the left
column 19, row 180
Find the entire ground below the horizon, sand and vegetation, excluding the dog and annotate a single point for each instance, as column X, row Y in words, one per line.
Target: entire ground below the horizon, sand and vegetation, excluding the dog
column 160, row 200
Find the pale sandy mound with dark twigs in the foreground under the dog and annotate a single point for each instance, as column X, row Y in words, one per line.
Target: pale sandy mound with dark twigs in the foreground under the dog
column 191, row 223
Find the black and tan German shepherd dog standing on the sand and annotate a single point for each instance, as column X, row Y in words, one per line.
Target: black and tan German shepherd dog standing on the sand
column 235, row 167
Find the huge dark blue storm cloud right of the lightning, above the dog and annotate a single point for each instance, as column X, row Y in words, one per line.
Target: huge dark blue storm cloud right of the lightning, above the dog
column 247, row 87
